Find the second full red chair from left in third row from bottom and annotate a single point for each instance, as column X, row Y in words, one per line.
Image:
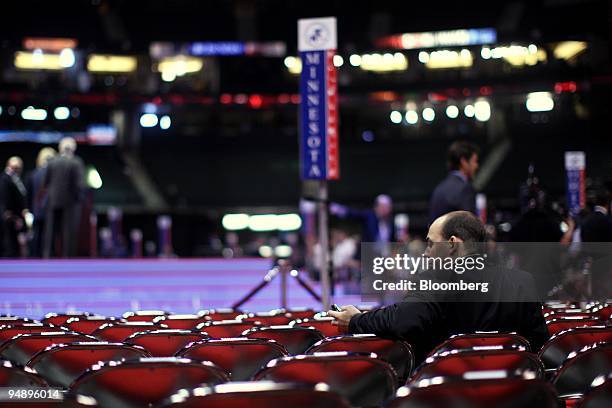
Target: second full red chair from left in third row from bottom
column 240, row 357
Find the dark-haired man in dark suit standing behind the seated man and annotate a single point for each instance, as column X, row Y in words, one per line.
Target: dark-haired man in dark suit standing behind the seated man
column 455, row 192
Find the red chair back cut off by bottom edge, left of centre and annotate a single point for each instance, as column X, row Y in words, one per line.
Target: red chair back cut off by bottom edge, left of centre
column 262, row 394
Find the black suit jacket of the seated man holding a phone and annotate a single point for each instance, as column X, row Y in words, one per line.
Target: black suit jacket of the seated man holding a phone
column 427, row 319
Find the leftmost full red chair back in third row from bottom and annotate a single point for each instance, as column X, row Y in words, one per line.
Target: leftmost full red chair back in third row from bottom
column 60, row 365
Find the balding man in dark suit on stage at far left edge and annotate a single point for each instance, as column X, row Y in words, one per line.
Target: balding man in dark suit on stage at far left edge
column 13, row 206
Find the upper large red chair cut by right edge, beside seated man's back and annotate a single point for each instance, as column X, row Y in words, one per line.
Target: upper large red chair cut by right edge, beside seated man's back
column 556, row 350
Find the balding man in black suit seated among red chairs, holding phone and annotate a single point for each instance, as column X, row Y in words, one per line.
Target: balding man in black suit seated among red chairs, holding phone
column 425, row 319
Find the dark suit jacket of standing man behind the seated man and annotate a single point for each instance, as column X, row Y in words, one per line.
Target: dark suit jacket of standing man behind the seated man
column 452, row 194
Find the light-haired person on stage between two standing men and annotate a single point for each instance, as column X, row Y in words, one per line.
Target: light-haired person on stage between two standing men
column 38, row 198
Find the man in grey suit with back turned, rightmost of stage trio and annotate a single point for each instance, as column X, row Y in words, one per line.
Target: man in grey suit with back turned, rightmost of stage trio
column 64, row 184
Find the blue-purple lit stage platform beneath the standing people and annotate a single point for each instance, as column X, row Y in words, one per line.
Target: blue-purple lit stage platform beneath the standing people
column 32, row 288
